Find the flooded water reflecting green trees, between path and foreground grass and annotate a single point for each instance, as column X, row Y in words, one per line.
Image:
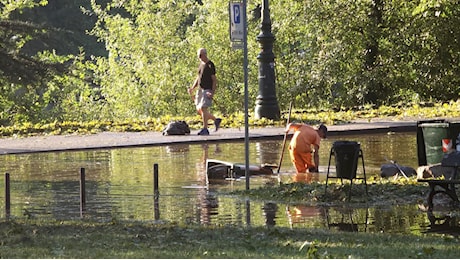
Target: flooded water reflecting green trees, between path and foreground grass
column 120, row 182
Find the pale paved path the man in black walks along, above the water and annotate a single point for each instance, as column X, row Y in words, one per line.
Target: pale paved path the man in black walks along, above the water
column 107, row 140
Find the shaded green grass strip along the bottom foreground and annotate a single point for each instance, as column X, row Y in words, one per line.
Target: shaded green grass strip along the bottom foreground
column 143, row 240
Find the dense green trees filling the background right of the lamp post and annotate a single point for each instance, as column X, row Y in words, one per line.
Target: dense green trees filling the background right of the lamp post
column 347, row 53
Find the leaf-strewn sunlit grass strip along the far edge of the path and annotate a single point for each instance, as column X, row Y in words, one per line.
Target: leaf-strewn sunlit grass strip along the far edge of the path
column 310, row 116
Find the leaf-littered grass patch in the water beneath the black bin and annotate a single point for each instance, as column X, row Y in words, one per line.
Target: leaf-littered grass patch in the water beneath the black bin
column 388, row 191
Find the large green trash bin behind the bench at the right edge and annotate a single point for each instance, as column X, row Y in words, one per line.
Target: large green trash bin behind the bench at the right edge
column 433, row 133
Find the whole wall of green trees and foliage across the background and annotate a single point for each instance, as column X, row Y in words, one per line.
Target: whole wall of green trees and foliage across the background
column 333, row 56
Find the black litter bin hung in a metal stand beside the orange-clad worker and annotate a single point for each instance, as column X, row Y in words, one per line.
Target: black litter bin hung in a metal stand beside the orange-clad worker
column 346, row 155
